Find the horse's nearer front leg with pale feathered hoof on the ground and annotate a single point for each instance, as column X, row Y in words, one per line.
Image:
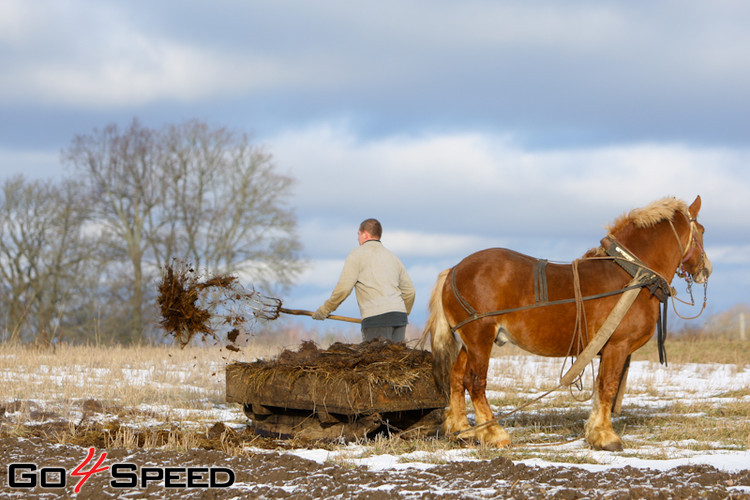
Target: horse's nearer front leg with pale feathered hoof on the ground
column 599, row 432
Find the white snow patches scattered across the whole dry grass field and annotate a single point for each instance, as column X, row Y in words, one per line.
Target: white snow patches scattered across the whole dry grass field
column 650, row 385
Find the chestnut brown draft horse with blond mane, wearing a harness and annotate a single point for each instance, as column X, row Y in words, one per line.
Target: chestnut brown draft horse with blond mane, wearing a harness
column 498, row 295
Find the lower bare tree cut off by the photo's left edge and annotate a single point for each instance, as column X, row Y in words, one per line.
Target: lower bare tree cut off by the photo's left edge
column 43, row 255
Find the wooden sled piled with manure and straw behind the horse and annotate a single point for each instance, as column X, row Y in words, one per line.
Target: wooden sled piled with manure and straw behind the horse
column 345, row 393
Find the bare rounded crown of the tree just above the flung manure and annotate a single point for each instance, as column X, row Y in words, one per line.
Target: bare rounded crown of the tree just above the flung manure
column 227, row 205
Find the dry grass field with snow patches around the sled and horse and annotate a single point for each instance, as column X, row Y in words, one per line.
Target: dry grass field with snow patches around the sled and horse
column 169, row 400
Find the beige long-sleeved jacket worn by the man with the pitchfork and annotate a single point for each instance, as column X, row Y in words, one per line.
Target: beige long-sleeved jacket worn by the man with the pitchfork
column 379, row 278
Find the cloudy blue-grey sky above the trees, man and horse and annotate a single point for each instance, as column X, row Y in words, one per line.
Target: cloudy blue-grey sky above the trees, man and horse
column 460, row 125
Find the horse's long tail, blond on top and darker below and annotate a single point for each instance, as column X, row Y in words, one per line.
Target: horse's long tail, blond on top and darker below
column 444, row 344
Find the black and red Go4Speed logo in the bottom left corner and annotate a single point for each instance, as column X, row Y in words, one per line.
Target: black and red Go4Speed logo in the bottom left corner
column 123, row 475
